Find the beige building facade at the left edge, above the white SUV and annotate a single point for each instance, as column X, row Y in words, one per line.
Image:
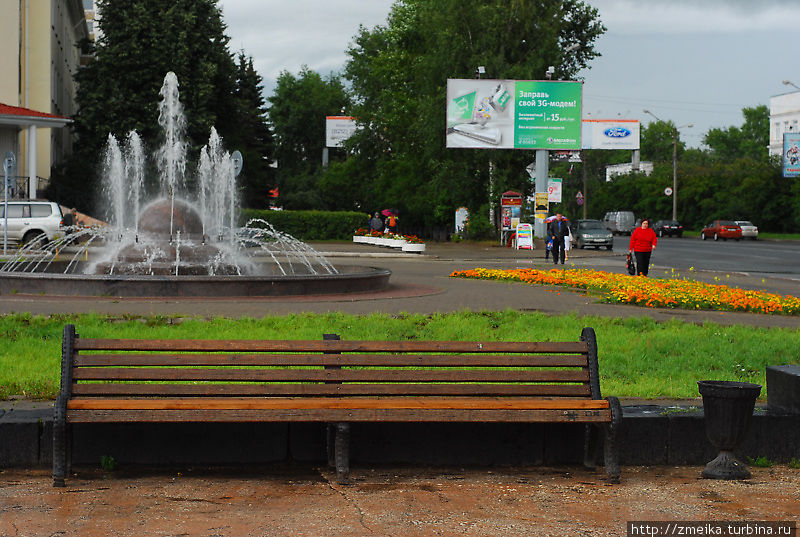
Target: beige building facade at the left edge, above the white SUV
column 40, row 40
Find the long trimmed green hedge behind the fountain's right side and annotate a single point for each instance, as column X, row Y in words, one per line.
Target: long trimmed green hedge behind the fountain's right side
column 309, row 225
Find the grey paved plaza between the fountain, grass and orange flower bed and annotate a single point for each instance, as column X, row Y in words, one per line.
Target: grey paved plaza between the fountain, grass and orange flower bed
column 421, row 284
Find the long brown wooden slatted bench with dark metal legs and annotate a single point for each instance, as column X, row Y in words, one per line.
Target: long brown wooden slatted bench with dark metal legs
column 332, row 381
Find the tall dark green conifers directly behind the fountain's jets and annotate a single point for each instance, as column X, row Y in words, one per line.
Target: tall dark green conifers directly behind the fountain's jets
column 119, row 90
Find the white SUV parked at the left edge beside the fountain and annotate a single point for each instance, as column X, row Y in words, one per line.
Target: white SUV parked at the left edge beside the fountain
column 31, row 220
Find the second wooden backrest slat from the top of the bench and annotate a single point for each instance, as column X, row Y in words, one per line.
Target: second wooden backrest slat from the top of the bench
column 394, row 360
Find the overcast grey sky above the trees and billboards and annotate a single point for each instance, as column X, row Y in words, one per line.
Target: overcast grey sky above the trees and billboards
column 689, row 61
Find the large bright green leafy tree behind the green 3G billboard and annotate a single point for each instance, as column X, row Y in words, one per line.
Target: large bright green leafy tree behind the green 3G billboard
column 399, row 74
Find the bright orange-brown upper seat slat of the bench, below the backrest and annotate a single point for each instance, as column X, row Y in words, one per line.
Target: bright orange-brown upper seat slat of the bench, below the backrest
column 349, row 403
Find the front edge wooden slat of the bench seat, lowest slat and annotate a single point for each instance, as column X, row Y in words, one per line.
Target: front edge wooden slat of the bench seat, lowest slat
column 342, row 415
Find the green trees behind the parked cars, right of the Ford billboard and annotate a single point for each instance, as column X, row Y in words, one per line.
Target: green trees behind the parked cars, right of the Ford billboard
column 733, row 179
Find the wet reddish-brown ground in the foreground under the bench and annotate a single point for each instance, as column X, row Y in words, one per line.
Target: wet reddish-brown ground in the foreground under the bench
column 306, row 501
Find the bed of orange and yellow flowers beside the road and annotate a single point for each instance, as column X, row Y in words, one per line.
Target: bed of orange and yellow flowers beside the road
column 648, row 292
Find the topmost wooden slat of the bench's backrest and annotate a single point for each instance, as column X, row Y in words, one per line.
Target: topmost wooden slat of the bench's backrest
column 574, row 347
